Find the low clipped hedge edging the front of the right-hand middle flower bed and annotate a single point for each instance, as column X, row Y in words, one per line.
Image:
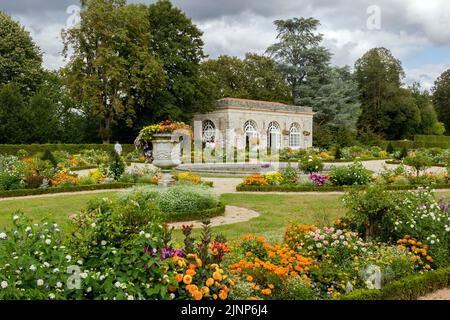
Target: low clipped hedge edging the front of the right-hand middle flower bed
column 297, row 188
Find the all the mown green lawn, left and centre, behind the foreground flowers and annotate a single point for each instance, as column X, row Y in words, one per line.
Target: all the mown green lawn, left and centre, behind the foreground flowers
column 276, row 211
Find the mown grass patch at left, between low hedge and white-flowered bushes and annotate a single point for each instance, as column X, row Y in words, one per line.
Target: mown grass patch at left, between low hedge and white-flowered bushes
column 58, row 208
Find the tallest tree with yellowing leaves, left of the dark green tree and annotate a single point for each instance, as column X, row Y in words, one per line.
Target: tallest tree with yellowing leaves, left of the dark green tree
column 111, row 67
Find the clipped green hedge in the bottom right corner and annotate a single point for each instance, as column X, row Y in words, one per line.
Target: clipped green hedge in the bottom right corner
column 407, row 288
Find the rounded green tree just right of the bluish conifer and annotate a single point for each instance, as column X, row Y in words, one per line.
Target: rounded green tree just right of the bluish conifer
column 387, row 109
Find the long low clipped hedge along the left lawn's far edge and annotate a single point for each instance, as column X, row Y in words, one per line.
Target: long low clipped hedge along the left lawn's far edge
column 31, row 192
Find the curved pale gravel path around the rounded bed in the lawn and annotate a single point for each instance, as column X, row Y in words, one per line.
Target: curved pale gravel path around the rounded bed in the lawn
column 232, row 215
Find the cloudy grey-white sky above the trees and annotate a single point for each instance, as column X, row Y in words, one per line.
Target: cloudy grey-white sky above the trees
column 417, row 31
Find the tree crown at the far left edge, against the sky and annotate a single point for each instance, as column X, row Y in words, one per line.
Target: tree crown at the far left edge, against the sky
column 20, row 58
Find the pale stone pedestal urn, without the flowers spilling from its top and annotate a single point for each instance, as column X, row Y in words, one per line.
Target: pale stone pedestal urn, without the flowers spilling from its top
column 166, row 154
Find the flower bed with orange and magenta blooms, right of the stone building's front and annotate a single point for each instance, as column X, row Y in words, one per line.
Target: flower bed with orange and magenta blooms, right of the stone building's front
column 340, row 177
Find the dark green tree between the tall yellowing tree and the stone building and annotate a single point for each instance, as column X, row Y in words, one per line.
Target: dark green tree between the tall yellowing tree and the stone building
column 178, row 44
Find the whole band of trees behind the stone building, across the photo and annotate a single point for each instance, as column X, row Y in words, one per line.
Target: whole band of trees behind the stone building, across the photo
column 130, row 65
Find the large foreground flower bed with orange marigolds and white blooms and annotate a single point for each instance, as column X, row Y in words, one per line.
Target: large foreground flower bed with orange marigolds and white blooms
column 388, row 246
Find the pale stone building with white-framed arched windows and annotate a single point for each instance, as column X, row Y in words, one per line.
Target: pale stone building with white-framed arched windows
column 241, row 122
